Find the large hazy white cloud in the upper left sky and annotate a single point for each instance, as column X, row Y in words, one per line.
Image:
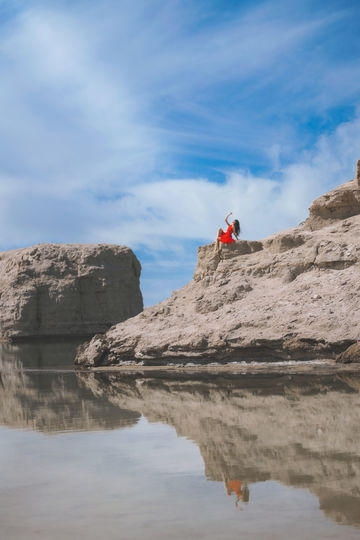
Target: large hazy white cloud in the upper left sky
column 64, row 117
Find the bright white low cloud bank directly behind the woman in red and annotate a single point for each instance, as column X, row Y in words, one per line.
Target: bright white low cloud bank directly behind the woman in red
column 158, row 213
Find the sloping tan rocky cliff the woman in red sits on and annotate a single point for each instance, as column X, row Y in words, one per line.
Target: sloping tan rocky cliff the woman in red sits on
column 293, row 295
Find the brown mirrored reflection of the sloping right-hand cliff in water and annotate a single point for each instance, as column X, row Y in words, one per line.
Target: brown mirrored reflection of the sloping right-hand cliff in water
column 301, row 433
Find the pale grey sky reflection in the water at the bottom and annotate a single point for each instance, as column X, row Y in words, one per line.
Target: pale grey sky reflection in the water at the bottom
column 139, row 482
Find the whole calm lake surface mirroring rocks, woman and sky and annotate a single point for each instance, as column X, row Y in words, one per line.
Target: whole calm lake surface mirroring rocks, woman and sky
column 166, row 456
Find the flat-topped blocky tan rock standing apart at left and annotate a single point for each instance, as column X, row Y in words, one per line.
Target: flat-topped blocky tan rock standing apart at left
column 67, row 289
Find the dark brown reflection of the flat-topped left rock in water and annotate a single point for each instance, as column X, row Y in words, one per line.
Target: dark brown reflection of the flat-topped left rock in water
column 52, row 402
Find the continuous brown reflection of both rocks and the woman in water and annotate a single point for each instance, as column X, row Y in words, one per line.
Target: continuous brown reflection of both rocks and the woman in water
column 301, row 431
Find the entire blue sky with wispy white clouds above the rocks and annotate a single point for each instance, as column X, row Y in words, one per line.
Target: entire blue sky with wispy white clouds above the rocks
column 144, row 122
